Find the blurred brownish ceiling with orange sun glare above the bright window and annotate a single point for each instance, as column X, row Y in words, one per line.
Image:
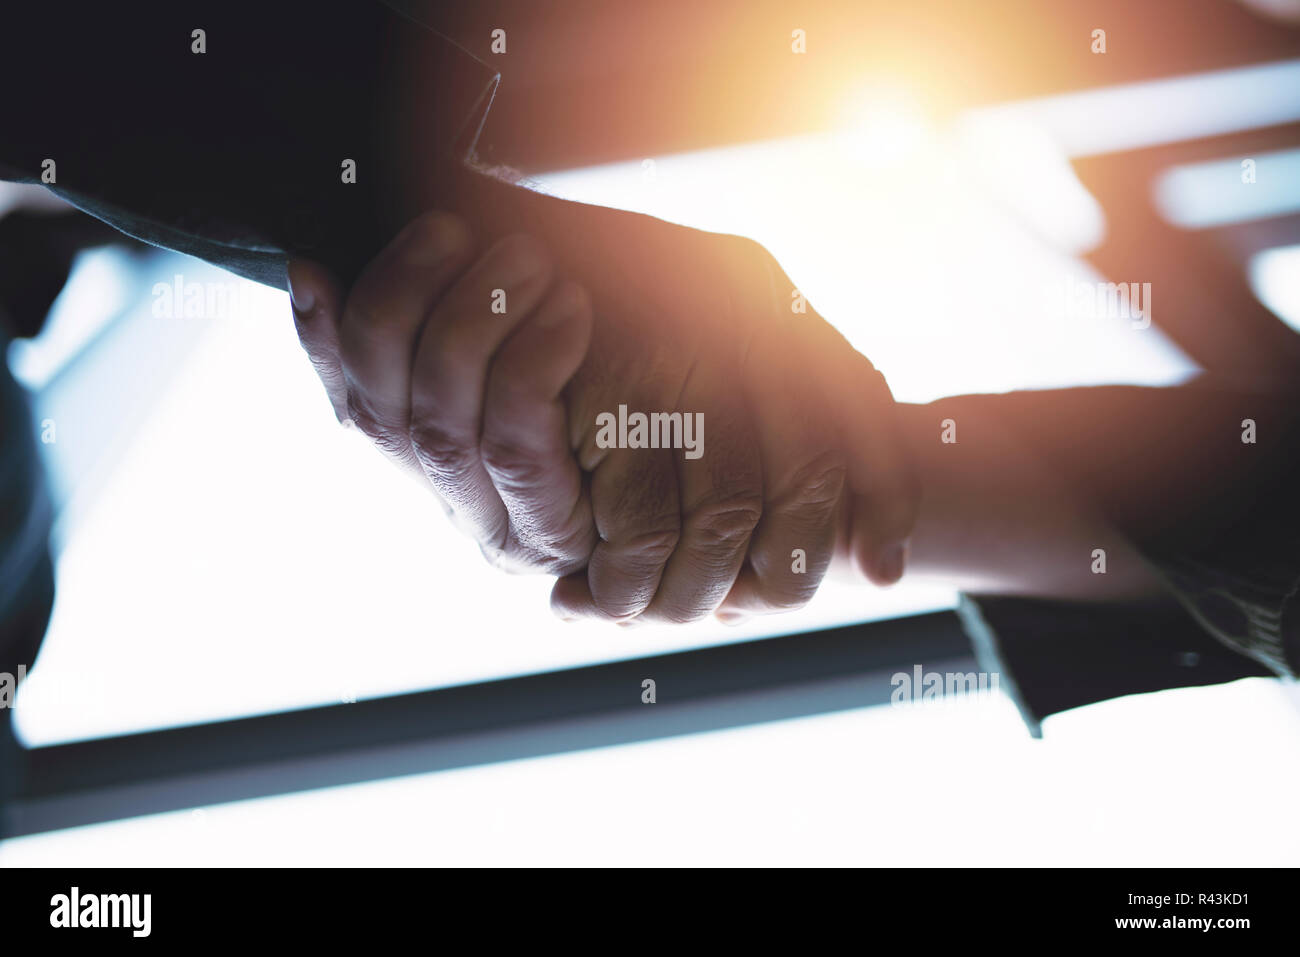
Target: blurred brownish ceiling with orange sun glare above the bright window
column 591, row 81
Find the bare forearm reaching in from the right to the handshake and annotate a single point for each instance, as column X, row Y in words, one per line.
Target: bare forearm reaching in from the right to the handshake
column 1038, row 482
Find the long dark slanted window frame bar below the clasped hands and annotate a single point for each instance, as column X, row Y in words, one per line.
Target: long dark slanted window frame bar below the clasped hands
column 552, row 713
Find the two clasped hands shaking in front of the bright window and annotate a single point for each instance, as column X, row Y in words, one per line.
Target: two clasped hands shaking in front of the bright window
column 548, row 369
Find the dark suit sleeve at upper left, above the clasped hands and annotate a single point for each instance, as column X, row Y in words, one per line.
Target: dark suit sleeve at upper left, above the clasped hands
column 237, row 154
